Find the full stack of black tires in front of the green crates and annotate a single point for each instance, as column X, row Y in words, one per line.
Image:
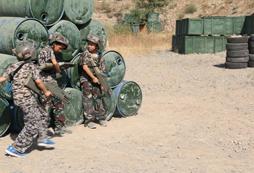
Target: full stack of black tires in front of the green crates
column 237, row 52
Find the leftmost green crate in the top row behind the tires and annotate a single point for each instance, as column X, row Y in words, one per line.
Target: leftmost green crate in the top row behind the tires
column 192, row 26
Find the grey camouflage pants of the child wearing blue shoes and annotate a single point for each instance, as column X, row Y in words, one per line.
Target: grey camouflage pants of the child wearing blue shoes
column 35, row 120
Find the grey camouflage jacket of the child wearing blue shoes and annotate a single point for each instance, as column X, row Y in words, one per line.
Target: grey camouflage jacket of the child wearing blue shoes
column 20, row 92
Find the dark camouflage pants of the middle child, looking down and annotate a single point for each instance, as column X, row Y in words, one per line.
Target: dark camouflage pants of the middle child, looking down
column 58, row 109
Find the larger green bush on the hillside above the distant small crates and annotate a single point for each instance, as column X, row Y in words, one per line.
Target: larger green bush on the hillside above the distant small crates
column 144, row 7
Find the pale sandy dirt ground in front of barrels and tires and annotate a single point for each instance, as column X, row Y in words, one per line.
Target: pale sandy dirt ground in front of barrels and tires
column 196, row 116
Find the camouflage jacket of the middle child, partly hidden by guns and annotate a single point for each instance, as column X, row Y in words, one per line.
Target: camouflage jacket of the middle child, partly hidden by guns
column 45, row 56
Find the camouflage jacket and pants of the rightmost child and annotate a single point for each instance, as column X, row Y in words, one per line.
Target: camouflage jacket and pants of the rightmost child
column 92, row 102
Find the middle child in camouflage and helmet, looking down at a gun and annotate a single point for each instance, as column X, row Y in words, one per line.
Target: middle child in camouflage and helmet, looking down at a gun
column 47, row 54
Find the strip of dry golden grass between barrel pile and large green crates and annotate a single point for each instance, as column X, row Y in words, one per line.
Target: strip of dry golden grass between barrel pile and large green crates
column 129, row 44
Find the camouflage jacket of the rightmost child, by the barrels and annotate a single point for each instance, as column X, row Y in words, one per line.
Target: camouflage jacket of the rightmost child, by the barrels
column 84, row 59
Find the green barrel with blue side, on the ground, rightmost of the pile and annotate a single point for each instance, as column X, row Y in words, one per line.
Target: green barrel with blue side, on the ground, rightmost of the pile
column 129, row 98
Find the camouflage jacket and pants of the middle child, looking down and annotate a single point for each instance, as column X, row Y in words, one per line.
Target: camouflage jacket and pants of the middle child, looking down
column 45, row 56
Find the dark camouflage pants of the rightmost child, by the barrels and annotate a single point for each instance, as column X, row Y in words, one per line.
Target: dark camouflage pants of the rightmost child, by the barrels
column 92, row 104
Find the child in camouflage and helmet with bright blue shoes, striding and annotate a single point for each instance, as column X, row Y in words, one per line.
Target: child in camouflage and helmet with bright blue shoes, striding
column 35, row 116
